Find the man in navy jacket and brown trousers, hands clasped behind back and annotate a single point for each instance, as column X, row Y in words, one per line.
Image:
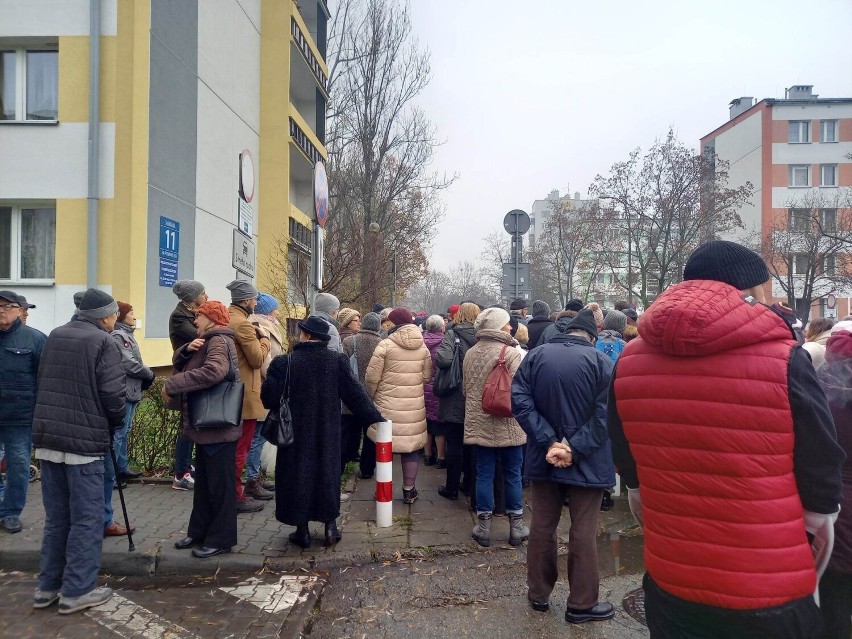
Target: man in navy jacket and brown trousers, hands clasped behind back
column 559, row 396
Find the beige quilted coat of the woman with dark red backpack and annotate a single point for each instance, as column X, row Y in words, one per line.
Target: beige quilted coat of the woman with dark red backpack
column 480, row 428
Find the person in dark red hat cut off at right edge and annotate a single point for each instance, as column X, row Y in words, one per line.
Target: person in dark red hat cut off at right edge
column 835, row 587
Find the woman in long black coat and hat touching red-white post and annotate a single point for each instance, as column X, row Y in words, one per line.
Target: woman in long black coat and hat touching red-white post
column 307, row 473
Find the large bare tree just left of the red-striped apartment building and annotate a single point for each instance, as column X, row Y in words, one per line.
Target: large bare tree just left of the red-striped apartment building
column 665, row 203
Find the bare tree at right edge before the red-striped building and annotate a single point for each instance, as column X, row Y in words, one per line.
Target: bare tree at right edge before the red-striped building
column 808, row 248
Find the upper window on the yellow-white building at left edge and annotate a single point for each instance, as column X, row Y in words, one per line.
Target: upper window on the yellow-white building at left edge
column 29, row 85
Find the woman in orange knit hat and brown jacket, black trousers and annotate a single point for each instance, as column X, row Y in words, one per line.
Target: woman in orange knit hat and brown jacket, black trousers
column 200, row 364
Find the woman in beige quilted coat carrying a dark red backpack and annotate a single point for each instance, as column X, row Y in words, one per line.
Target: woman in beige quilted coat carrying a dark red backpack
column 496, row 438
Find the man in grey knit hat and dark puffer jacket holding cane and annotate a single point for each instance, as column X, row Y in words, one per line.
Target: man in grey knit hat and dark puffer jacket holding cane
column 80, row 403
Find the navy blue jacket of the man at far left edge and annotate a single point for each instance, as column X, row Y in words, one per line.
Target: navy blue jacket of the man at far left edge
column 20, row 352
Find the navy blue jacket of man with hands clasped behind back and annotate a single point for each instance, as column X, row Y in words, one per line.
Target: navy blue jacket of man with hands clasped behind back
column 560, row 391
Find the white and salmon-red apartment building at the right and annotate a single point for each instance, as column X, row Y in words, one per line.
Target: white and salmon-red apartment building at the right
column 796, row 153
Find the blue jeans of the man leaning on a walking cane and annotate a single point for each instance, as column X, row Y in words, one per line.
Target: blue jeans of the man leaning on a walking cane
column 73, row 534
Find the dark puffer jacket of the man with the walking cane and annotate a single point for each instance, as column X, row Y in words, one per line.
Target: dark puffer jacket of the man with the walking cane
column 81, row 390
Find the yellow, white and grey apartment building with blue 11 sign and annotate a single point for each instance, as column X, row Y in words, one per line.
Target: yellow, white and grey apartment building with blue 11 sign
column 145, row 141
